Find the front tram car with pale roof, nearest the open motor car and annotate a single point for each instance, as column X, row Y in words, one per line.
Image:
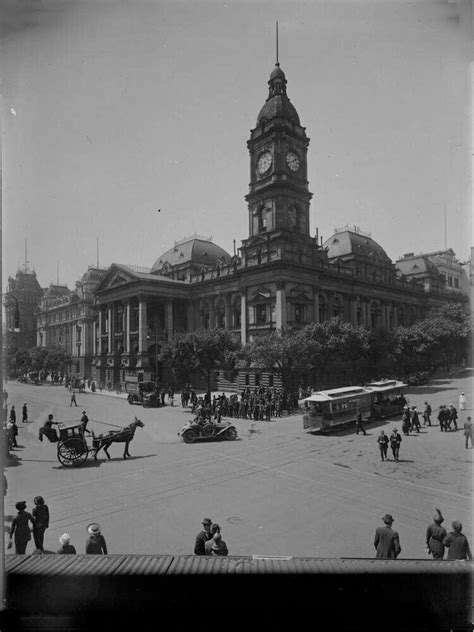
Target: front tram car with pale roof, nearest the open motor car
column 335, row 407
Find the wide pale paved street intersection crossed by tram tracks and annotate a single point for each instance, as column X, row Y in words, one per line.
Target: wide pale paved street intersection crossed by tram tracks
column 275, row 491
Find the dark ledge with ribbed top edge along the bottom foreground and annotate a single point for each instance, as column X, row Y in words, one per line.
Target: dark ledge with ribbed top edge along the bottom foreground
column 69, row 591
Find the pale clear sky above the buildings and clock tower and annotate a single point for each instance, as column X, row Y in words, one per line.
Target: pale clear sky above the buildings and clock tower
column 113, row 109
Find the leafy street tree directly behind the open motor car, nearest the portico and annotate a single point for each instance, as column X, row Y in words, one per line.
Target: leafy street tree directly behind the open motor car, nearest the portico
column 202, row 351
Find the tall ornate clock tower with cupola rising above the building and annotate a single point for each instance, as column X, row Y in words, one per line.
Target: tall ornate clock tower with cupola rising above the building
column 278, row 199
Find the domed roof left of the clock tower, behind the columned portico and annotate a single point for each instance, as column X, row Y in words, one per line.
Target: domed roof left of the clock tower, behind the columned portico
column 196, row 250
